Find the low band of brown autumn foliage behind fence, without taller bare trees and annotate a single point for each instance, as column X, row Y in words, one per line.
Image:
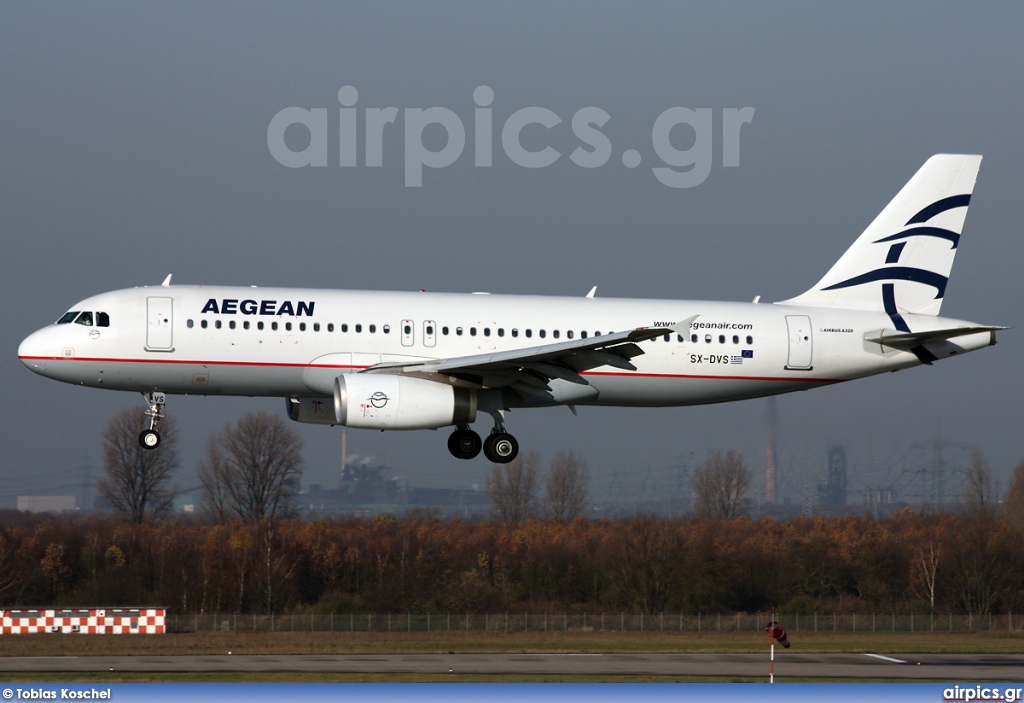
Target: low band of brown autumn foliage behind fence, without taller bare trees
column 417, row 565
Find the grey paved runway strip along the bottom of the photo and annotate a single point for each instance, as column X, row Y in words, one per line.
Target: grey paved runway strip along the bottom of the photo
column 962, row 668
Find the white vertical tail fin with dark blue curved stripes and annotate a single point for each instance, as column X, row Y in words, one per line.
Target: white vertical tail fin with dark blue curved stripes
column 902, row 263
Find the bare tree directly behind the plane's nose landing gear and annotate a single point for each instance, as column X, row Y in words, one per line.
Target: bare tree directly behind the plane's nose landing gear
column 138, row 479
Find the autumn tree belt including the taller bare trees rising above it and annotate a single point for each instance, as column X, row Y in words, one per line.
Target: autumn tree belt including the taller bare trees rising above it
column 247, row 555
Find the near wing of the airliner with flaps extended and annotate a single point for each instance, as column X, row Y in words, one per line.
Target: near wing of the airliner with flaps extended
column 530, row 370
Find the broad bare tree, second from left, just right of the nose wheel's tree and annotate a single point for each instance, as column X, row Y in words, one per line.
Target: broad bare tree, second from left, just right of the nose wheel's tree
column 252, row 470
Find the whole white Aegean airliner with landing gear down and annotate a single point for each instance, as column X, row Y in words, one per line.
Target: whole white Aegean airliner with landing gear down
column 426, row 361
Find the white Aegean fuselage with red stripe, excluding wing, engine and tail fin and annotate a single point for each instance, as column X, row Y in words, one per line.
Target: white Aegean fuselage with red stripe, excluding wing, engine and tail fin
column 235, row 341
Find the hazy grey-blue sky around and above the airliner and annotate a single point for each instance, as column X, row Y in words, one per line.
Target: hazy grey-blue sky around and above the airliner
column 135, row 145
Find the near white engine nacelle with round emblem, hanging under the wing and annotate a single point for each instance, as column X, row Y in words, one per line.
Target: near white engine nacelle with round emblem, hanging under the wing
column 383, row 402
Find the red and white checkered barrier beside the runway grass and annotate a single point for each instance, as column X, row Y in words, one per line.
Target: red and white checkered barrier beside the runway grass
column 84, row 621
